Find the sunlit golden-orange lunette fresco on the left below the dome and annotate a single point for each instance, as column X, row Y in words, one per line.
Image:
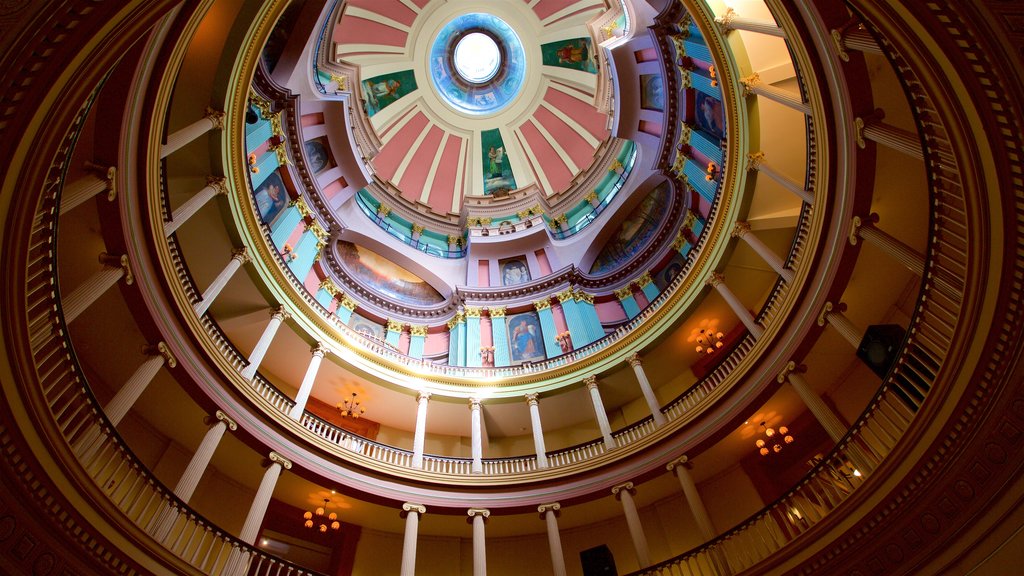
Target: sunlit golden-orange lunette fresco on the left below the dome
column 391, row 280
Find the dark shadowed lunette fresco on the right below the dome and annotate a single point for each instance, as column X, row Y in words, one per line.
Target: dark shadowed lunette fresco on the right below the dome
column 636, row 232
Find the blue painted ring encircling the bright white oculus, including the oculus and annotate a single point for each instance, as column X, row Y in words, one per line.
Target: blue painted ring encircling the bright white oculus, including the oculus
column 478, row 64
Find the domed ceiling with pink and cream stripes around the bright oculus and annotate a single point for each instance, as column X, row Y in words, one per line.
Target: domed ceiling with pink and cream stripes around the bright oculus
column 472, row 104
